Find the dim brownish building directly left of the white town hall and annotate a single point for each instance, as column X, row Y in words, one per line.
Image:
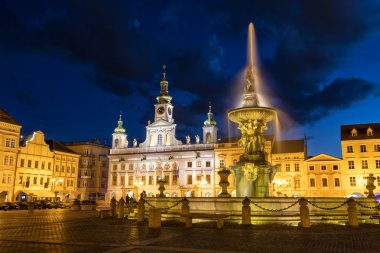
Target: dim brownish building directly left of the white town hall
column 93, row 169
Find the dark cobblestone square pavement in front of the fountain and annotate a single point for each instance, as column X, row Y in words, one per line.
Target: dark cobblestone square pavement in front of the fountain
column 82, row 231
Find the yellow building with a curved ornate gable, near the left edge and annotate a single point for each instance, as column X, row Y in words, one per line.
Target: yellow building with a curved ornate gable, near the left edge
column 34, row 171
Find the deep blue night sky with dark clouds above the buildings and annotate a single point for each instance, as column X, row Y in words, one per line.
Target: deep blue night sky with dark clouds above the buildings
column 69, row 67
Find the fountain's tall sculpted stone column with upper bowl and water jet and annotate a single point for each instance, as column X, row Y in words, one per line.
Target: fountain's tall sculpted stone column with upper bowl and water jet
column 252, row 173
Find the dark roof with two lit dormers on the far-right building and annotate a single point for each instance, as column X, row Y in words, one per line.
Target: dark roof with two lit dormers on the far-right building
column 345, row 131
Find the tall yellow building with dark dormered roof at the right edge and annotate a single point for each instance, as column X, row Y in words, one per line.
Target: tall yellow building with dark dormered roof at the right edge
column 361, row 155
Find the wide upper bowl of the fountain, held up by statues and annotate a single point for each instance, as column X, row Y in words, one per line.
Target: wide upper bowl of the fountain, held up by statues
column 242, row 114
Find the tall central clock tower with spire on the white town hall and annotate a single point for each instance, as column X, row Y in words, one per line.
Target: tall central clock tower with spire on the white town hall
column 164, row 109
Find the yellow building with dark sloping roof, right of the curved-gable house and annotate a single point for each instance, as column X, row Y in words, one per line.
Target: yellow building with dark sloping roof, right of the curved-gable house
column 65, row 174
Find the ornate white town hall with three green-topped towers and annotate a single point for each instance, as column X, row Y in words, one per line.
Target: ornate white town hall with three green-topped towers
column 187, row 168
